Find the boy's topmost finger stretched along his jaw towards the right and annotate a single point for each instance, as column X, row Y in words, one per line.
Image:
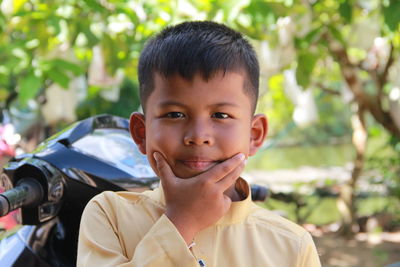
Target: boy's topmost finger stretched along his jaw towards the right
column 220, row 170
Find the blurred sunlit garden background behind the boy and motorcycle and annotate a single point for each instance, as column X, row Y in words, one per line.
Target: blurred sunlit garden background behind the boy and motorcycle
column 330, row 86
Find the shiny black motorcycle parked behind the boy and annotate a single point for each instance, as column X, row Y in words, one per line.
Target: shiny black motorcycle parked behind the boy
column 52, row 185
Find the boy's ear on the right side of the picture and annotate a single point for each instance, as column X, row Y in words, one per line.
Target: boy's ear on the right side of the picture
column 259, row 129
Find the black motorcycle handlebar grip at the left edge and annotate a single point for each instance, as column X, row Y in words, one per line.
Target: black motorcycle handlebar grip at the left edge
column 27, row 193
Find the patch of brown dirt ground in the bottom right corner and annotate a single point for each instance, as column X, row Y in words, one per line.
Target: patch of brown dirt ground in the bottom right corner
column 366, row 250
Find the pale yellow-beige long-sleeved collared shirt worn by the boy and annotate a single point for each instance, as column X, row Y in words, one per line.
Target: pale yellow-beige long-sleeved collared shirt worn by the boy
column 130, row 229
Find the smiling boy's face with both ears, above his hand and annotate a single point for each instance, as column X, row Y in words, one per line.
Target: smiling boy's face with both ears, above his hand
column 198, row 124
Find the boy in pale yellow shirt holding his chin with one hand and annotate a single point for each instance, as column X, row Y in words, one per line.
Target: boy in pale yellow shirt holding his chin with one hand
column 198, row 88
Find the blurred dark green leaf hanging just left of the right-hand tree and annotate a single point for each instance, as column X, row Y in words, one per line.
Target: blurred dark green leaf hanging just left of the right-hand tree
column 305, row 66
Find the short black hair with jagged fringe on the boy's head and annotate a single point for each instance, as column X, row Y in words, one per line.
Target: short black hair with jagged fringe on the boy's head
column 203, row 47
